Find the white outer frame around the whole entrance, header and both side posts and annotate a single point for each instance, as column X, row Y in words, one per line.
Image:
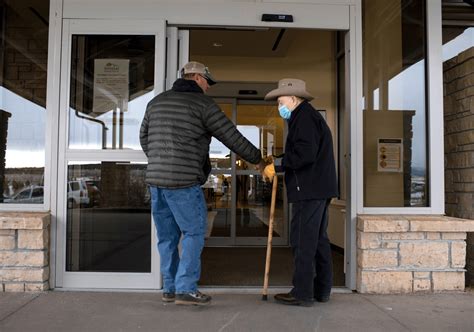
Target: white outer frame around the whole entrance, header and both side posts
column 344, row 15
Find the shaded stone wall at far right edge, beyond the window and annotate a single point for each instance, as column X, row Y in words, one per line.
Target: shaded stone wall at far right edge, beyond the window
column 459, row 143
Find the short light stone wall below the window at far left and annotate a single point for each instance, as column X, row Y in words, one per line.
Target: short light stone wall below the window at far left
column 24, row 251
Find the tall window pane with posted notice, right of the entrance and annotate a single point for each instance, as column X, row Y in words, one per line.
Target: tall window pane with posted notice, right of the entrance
column 395, row 105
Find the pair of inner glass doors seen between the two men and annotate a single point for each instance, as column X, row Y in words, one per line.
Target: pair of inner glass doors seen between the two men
column 238, row 200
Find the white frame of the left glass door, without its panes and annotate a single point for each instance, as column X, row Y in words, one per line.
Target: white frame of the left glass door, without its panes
column 151, row 280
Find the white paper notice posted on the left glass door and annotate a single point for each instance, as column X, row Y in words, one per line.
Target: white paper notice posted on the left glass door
column 111, row 81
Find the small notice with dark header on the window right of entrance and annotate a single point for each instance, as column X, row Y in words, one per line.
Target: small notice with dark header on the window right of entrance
column 390, row 155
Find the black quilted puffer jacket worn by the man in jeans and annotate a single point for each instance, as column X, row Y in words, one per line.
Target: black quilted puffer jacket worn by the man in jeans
column 176, row 132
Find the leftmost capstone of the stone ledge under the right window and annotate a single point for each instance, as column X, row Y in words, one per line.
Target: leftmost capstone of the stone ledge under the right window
column 382, row 223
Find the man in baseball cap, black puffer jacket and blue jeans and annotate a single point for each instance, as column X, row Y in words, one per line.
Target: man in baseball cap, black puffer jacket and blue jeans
column 175, row 135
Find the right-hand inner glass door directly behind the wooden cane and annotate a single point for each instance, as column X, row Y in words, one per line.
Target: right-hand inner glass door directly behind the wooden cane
column 261, row 124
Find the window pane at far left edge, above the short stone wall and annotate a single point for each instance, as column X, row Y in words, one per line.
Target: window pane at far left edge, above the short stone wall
column 23, row 65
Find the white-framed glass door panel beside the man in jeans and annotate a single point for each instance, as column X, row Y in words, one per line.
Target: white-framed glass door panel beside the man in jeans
column 111, row 70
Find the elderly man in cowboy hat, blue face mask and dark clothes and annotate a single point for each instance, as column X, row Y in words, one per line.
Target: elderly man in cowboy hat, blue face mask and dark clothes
column 310, row 178
